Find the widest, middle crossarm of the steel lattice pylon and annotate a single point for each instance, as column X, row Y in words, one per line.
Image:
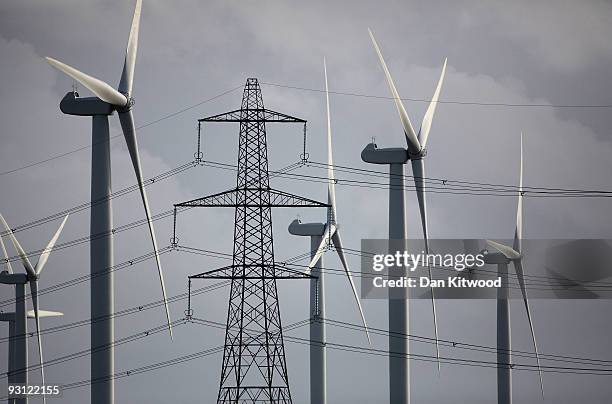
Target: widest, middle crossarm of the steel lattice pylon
column 235, row 198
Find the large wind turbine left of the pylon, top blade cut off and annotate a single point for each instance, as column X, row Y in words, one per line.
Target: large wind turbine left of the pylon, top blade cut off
column 107, row 101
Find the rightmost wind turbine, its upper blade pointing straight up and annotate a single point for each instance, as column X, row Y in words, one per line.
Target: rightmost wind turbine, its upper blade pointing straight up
column 502, row 258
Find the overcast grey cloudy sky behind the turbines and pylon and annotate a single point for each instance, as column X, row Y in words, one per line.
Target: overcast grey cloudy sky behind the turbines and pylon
column 555, row 52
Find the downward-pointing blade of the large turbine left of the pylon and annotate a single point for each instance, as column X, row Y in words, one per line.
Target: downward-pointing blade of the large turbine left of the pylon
column 129, row 132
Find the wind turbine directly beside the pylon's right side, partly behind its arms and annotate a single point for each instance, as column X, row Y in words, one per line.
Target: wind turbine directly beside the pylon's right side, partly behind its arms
column 321, row 236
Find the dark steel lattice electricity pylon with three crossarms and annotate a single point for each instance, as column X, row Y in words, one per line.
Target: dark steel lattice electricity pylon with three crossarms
column 254, row 369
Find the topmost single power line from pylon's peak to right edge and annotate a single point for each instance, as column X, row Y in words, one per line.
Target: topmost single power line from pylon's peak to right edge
column 455, row 102
